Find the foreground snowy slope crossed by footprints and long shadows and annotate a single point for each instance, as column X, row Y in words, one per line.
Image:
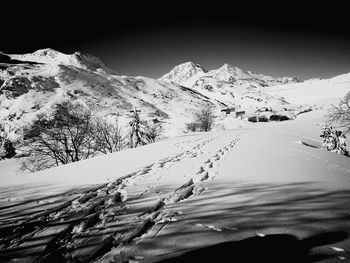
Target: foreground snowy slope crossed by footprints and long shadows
column 182, row 194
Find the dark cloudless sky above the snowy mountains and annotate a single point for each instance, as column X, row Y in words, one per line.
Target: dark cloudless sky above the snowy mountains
column 135, row 39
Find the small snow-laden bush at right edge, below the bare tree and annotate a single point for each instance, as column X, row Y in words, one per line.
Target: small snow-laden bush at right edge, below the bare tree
column 334, row 140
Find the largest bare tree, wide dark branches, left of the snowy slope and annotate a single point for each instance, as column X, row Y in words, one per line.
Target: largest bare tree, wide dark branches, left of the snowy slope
column 66, row 136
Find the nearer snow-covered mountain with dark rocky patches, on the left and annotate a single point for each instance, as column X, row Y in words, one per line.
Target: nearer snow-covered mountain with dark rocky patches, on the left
column 32, row 83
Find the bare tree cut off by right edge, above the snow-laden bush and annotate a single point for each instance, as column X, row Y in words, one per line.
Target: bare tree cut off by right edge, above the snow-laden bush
column 340, row 115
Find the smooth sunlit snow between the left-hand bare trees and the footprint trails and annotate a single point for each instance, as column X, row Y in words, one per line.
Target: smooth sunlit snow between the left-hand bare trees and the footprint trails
column 100, row 169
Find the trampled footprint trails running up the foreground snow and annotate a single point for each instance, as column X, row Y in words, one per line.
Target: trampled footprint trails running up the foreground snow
column 99, row 208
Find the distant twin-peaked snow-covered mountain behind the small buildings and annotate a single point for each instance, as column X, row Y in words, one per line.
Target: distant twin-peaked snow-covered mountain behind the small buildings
column 228, row 84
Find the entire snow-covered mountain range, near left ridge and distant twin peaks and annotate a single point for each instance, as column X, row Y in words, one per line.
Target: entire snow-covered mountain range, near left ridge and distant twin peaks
column 32, row 83
